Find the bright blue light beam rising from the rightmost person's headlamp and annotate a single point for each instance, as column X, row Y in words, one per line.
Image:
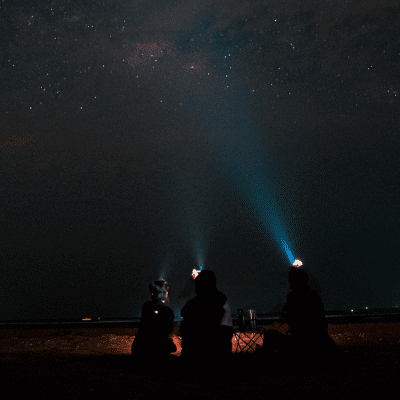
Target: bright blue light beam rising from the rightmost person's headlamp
column 225, row 105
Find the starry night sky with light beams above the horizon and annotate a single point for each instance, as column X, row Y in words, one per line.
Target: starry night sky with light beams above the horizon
column 142, row 139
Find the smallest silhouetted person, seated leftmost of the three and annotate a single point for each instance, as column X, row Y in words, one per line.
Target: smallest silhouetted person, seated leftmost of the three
column 152, row 341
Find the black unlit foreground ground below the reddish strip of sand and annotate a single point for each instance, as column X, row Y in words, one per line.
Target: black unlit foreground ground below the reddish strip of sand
column 357, row 371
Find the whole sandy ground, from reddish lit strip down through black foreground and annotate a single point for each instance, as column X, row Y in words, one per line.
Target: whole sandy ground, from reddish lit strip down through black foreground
column 83, row 363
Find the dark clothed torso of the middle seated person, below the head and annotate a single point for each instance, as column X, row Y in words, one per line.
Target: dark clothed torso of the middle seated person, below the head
column 201, row 321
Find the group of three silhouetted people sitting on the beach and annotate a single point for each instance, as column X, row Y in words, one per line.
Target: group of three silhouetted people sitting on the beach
column 206, row 328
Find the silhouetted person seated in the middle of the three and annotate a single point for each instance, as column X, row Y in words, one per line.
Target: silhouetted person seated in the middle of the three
column 206, row 328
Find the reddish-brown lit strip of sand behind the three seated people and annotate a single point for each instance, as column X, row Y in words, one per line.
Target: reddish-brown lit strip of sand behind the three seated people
column 119, row 340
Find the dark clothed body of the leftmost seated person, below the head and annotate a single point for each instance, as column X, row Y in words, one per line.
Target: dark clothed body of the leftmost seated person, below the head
column 156, row 323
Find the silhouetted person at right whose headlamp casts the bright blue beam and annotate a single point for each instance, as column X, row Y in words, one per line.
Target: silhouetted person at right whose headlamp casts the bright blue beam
column 304, row 312
